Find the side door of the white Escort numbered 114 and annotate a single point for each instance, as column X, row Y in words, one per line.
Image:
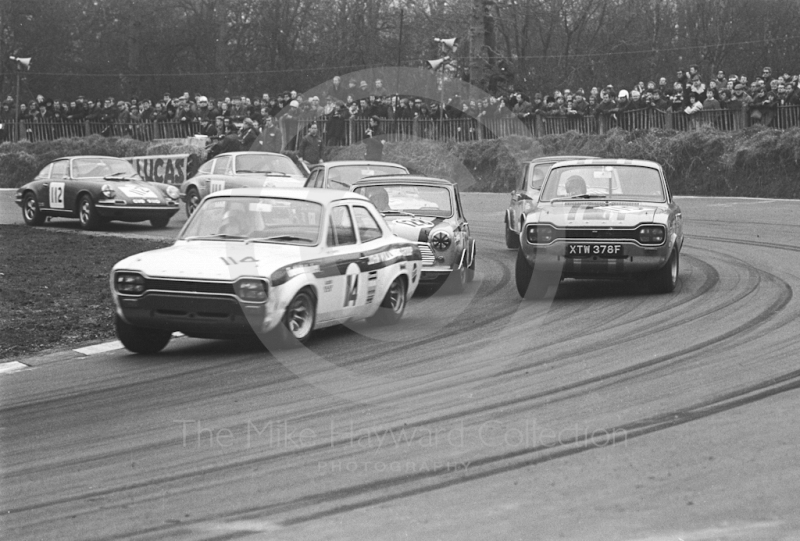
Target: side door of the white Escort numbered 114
column 340, row 287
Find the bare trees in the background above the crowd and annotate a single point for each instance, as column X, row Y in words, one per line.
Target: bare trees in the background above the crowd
column 226, row 47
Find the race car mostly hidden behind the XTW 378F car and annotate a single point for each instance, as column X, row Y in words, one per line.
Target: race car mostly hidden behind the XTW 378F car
column 526, row 194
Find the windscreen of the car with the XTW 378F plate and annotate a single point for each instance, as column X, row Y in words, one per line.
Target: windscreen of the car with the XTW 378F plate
column 617, row 182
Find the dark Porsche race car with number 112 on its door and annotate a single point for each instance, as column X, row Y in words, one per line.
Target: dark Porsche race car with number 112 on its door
column 96, row 189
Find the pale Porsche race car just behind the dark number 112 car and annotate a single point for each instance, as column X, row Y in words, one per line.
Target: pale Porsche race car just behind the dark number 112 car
column 241, row 170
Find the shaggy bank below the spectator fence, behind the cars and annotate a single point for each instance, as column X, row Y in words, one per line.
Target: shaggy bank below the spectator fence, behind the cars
column 756, row 162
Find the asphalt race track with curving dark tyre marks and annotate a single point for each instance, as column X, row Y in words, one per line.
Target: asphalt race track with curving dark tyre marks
column 602, row 413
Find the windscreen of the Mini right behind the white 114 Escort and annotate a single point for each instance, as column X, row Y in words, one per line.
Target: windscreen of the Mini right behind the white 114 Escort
column 410, row 199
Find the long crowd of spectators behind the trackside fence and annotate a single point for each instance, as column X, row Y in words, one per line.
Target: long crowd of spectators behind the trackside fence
column 689, row 93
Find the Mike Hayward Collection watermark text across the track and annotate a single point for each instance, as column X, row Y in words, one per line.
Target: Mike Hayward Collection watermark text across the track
column 286, row 435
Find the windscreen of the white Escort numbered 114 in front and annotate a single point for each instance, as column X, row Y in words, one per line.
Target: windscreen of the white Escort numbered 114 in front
column 268, row 219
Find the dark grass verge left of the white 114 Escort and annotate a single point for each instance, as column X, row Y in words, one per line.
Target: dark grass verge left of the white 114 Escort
column 54, row 288
